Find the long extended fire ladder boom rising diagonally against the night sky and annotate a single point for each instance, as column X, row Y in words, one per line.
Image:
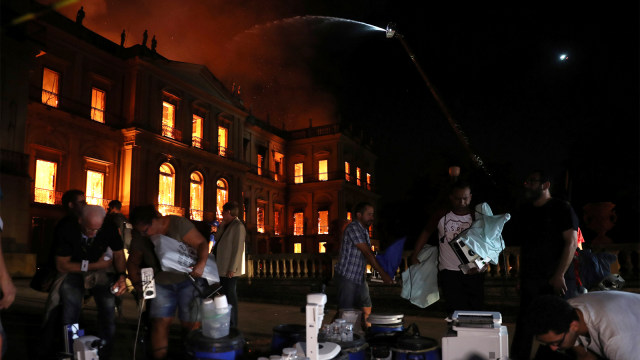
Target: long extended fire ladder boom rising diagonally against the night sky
column 391, row 33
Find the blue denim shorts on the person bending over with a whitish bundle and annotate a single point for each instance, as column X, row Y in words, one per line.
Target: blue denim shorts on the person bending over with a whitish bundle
column 182, row 295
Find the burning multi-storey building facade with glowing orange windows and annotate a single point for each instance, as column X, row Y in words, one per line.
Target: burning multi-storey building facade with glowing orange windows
column 129, row 124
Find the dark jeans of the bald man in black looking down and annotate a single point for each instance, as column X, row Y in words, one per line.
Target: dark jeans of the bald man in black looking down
column 71, row 297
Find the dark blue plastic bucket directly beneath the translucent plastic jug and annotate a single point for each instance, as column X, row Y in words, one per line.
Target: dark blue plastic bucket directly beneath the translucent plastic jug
column 200, row 347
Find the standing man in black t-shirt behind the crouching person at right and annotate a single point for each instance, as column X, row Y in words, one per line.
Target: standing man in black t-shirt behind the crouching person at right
column 547, row 228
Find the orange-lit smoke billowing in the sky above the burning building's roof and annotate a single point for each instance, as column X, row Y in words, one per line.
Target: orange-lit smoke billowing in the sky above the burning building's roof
column 265, row 47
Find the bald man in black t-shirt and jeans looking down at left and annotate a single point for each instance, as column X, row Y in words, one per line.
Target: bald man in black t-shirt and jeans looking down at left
column 83, row 256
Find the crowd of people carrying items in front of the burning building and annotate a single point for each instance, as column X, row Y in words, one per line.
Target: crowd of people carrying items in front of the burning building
column 87, row 256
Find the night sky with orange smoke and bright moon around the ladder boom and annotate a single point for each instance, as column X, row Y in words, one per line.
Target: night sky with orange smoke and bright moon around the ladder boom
column 497, row 69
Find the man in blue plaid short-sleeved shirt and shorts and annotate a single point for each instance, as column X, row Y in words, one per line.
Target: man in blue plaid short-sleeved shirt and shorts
column 355, row 252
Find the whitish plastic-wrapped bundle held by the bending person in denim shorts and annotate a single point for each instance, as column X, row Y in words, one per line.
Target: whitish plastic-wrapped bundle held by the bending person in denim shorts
column 176, row 256
